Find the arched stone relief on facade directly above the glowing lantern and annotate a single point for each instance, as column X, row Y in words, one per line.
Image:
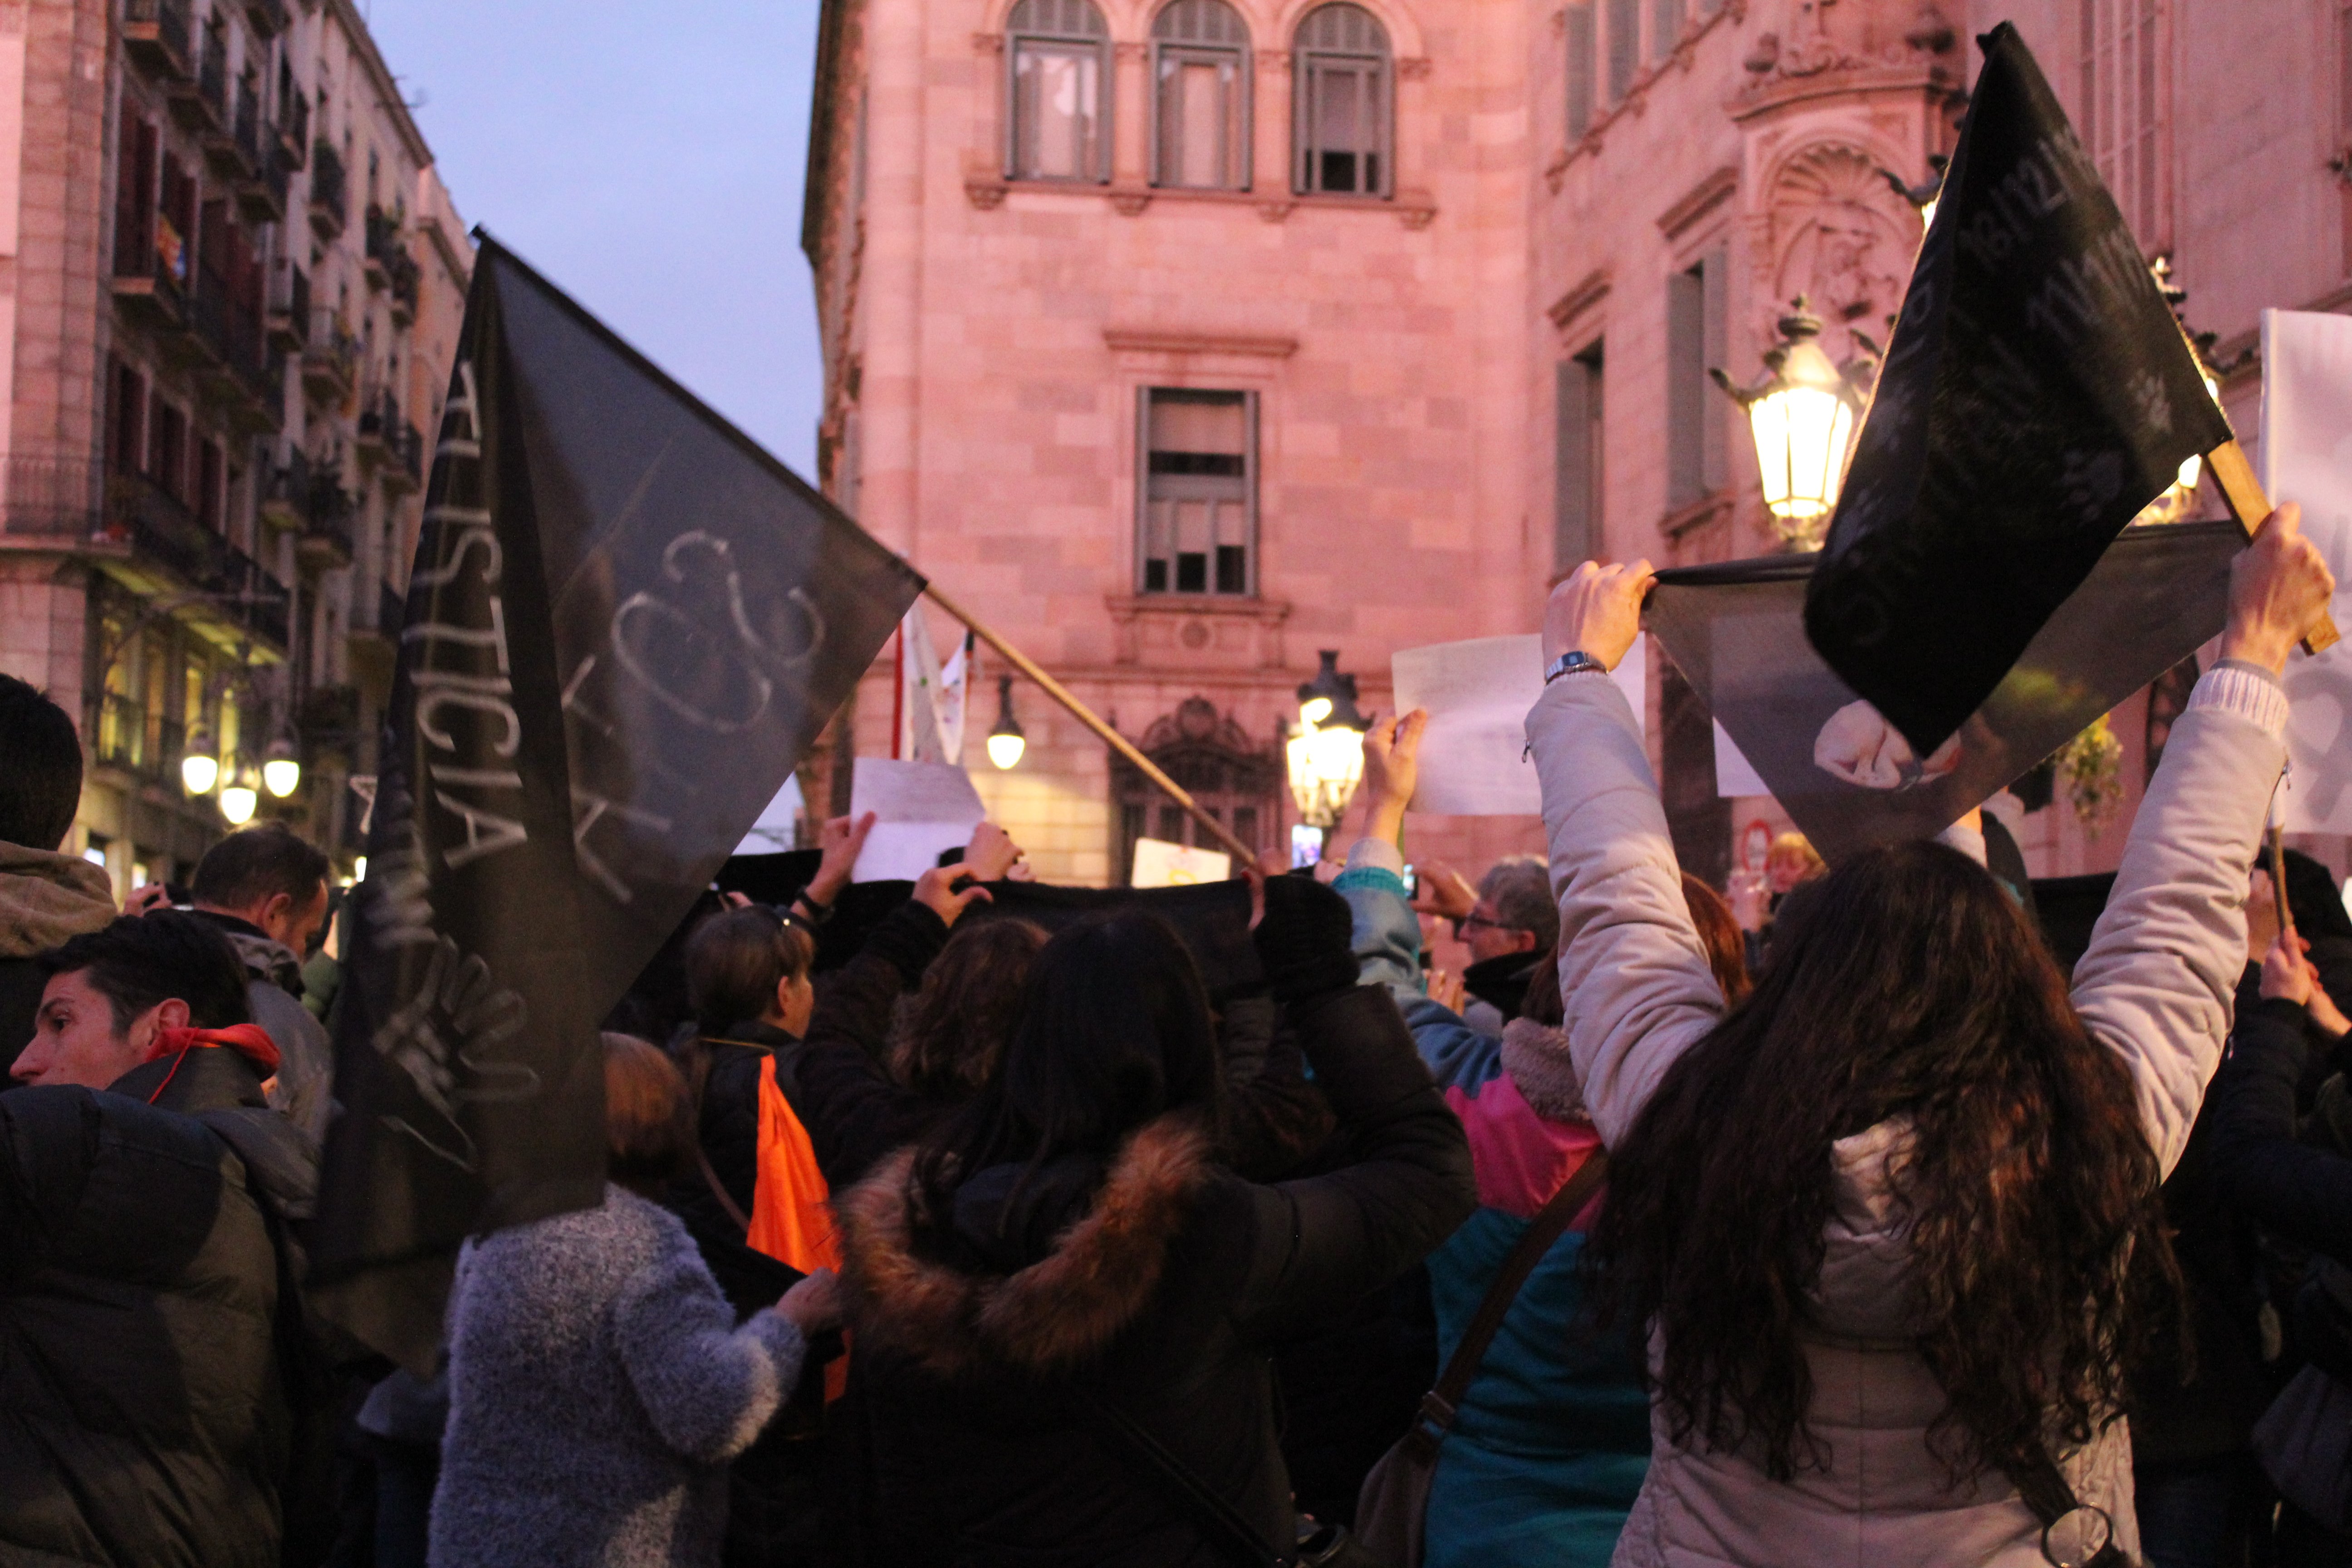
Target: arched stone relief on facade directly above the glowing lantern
column 1843, row 239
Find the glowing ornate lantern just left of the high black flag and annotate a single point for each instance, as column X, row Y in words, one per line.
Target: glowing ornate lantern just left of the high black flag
column 1803, row 413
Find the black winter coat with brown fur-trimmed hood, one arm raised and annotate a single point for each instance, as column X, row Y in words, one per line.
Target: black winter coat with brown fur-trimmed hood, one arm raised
column 1154, row 1285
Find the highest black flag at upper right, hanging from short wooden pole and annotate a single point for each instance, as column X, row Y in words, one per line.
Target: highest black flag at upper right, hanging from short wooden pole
column 2036, row 396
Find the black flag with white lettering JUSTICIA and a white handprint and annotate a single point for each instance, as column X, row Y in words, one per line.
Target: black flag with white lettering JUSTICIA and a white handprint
column 627, row 624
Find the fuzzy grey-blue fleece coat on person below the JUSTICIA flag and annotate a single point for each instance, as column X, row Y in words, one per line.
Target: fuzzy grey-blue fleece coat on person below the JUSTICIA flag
column 599, row 1388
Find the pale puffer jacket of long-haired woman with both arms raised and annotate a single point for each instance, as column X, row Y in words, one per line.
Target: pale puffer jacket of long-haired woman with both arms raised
column 2156, row 989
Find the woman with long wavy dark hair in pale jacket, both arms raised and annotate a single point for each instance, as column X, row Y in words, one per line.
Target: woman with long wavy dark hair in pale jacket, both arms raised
column 1892, row 1219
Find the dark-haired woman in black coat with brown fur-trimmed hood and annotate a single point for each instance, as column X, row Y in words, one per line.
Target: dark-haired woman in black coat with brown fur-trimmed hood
column 1062, row 1280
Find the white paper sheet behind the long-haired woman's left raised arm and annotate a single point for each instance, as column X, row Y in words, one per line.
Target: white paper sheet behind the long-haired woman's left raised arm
column 1474, row 756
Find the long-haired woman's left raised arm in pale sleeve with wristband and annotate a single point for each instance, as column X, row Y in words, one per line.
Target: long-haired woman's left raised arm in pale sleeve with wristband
column 1633, row 977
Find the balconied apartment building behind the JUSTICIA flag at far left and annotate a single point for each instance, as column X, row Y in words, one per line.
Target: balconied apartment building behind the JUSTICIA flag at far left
column 234, row 297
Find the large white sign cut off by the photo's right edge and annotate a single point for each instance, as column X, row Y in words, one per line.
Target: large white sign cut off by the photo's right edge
column 2308, row 460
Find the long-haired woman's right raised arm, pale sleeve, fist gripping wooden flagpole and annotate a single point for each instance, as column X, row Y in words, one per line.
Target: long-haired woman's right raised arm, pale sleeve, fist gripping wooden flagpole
column 2163, row 967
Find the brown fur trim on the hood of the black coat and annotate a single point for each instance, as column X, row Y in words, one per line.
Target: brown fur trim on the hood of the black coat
column 1097, row 1278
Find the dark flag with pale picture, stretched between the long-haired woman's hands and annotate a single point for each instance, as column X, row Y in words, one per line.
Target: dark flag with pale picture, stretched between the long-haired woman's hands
column 1840, row 770
